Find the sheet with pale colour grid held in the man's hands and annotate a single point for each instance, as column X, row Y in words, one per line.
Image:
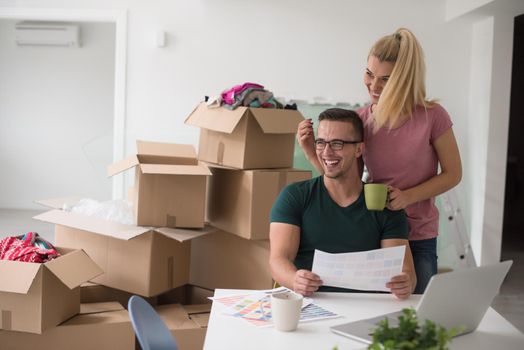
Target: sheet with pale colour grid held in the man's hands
column 369, row 270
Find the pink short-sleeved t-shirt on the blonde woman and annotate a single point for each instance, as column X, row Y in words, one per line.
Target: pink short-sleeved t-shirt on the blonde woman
column 404, row 157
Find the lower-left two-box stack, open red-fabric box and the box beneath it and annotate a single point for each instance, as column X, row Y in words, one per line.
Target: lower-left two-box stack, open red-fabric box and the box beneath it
column 40, row 307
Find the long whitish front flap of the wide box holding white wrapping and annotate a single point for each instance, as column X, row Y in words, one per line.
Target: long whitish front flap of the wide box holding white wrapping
column 92, row 224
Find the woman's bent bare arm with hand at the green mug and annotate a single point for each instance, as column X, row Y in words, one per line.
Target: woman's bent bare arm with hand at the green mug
column 449, row 176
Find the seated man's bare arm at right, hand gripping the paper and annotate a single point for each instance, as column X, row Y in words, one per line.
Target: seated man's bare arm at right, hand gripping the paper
column 403, row 285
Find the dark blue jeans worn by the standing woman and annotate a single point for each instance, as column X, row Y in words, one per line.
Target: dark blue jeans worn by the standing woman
column 425, row 260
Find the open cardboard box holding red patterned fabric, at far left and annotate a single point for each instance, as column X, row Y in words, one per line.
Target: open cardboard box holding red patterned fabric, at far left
column 35, row 297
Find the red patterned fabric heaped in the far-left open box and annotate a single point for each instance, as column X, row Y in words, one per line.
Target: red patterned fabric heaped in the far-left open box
column 16, row 249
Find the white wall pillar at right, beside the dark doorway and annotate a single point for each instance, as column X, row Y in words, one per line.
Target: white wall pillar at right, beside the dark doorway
column 488, row 120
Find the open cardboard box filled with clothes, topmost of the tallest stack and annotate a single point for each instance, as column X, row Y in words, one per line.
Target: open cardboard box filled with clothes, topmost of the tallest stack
column 246, row 138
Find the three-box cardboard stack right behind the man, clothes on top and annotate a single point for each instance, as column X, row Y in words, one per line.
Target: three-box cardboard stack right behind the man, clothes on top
column 250, row 153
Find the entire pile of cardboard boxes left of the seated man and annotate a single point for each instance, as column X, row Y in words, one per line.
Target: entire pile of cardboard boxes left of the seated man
column 171, row 257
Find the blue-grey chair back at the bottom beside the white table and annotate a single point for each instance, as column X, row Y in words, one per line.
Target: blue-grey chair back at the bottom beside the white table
column 151, row 332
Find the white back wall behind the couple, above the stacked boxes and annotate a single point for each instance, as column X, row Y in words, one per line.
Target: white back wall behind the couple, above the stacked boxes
column 302, row 50
